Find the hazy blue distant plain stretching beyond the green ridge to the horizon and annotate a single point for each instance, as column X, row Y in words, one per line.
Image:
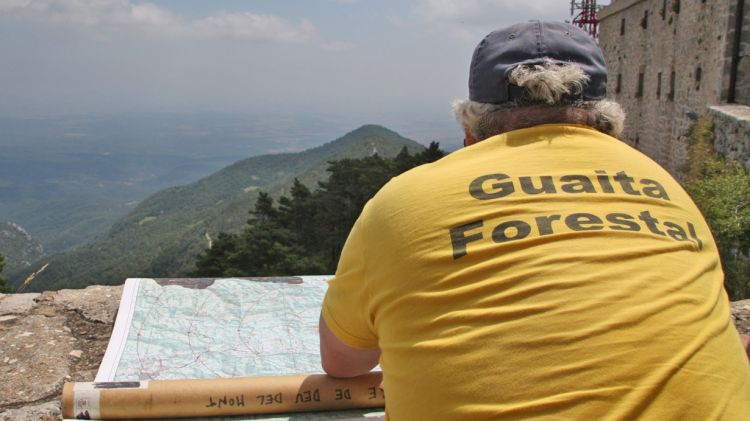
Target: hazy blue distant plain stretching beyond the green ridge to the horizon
column 67, row 178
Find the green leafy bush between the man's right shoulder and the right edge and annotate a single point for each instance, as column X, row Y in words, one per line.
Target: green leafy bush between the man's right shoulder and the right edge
column 721, row 190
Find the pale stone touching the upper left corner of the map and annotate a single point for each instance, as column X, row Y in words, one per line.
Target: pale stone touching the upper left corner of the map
column 97, row 303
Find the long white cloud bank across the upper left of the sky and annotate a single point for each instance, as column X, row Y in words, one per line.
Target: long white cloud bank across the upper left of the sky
column 120, row 17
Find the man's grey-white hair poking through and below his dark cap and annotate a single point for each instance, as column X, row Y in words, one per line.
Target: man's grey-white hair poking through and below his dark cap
column 552, row 86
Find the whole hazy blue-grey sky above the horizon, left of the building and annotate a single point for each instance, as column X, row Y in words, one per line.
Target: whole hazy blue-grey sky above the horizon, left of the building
column 343, row 57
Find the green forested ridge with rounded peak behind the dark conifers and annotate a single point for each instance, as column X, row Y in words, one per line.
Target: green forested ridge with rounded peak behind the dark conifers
column 165, row 233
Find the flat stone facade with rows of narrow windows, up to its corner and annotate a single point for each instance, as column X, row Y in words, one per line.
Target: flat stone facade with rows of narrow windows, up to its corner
column 667, row 61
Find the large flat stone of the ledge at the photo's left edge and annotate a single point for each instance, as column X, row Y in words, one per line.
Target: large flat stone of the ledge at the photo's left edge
column 46, row 358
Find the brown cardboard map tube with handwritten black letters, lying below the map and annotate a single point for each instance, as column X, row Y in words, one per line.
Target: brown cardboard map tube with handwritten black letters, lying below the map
column 220, row 397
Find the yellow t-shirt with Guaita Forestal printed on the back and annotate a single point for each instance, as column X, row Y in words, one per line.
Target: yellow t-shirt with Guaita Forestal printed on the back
column 547, row 273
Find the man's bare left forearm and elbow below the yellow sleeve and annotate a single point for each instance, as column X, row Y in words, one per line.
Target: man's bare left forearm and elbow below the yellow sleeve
column 341, row 360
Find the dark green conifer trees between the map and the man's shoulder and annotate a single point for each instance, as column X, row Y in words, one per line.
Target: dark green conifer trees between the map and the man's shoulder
column 306, row 232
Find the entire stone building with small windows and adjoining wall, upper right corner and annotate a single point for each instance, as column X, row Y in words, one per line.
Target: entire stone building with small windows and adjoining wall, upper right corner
column 673, row 61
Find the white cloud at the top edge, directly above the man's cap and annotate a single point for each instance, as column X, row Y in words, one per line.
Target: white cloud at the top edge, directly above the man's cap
column 465, row 19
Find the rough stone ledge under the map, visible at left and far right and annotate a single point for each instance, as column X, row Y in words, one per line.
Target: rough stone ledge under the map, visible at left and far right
column 61, row 336
